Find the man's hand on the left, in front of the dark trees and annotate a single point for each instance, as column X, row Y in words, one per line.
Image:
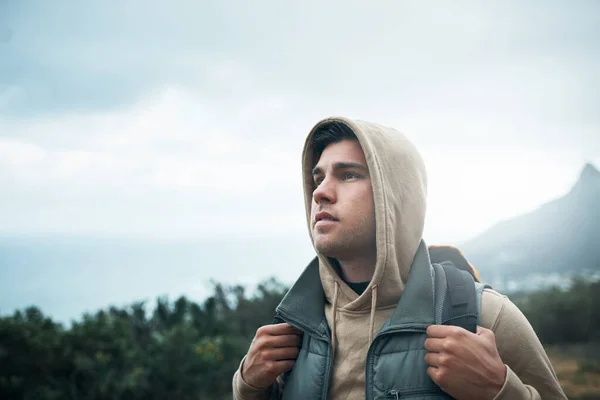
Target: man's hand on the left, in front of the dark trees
column 272, row 352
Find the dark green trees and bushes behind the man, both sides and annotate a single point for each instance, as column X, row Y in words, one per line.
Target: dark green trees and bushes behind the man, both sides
column 187, row 350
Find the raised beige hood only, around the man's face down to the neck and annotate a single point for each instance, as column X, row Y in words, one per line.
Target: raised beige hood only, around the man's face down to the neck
column 399, row 183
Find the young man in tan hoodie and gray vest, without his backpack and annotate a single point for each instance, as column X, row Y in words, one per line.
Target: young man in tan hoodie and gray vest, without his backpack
column 359, row 323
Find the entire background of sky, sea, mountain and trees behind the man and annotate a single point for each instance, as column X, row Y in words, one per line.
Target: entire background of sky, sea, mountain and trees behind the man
column 151, row 210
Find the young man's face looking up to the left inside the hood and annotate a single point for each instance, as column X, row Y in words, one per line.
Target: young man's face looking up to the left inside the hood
column 343, row 212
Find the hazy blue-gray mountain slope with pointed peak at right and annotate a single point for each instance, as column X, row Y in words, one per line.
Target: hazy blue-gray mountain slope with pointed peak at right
column 549, row 245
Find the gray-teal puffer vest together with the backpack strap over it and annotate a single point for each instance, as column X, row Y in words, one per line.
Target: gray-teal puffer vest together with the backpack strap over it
column 395, row 366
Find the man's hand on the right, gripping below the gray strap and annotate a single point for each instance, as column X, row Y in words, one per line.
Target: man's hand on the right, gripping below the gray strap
column 465, row 365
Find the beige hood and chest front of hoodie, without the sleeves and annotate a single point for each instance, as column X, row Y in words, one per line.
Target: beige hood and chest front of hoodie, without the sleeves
column 399, row 186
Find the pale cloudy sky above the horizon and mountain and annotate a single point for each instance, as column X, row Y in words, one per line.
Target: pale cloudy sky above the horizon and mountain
column 186, row 119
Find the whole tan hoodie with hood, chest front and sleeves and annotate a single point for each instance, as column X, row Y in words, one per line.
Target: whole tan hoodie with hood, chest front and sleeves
column 399, row 184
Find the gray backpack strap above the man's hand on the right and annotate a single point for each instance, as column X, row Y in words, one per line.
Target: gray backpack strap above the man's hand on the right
column 457, row 297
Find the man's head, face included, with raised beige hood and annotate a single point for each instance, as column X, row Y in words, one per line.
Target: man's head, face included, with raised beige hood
column 379, row 216
